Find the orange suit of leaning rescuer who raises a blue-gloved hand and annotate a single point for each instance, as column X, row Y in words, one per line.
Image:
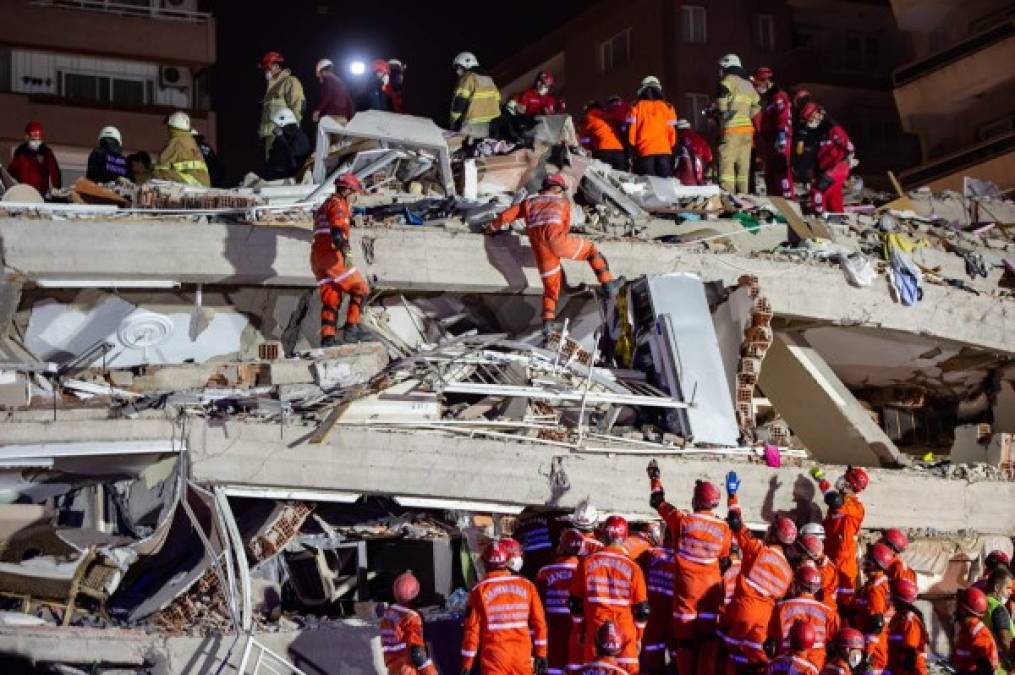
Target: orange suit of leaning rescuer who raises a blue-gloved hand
column 765, row 580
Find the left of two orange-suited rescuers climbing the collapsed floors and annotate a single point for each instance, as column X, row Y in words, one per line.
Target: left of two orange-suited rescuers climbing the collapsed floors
column 329, row 260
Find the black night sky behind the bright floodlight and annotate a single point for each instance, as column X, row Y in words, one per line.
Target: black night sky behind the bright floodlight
column 424, row 35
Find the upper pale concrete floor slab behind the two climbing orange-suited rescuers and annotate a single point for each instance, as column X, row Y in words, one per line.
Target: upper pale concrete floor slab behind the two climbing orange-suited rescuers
column 436, row 260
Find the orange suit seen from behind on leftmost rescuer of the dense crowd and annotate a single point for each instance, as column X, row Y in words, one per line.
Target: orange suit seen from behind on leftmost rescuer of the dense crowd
column 505, row 626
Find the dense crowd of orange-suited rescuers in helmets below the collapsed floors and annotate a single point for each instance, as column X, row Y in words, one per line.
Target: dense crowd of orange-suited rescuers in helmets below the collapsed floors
column 696, row 594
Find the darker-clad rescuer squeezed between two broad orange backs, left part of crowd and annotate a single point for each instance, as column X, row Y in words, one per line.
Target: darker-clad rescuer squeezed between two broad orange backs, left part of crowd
column 554, row 583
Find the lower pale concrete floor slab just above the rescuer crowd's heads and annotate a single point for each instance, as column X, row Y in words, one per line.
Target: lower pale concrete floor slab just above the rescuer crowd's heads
column 507, row 472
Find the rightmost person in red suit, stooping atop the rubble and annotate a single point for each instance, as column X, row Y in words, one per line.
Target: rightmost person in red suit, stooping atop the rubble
column 834, row 162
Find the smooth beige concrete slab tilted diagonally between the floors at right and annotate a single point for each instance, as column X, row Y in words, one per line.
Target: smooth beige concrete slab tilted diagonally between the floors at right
column 820, row 409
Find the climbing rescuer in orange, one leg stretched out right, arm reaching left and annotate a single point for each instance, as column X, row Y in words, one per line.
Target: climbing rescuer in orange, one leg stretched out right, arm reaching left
column 548, row 223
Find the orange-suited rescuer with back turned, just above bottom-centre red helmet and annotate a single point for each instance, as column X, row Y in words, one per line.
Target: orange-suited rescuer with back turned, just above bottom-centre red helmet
column 611, row 587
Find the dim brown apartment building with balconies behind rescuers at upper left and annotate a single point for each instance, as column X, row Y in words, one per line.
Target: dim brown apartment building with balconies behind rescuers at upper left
column 80, row 65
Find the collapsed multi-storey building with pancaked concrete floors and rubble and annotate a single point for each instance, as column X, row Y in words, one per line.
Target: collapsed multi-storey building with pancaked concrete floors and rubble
column 190, row 485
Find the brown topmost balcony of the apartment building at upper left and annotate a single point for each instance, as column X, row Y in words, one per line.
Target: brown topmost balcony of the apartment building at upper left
column 96, row 28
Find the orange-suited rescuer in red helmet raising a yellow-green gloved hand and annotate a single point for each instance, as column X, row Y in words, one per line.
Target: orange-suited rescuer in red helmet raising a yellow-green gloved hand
column 842, row 524
